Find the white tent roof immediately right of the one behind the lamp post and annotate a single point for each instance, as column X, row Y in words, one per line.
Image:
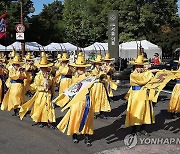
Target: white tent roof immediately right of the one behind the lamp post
column 60, row 47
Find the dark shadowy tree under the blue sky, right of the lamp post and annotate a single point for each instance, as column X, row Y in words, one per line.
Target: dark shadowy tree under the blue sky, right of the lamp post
column 48, row 26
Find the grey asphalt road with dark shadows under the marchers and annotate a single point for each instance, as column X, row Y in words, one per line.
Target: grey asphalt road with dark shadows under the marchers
column 20, row 137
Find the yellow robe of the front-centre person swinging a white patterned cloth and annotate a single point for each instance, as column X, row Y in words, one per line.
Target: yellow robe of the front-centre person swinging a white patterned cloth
column 73, row 117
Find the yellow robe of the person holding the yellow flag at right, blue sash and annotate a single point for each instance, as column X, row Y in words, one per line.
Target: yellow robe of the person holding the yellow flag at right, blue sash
column 139, row 109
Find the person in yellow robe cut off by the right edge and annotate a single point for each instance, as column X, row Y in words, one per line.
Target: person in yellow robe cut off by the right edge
column 174, row 105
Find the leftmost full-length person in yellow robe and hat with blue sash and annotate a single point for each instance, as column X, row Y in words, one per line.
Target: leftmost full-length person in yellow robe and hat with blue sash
column 15, row 95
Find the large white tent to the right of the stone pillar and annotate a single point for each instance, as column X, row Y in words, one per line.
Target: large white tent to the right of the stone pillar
column 129, row 49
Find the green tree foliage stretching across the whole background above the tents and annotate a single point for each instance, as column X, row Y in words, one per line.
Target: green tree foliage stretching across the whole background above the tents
column 84, row 22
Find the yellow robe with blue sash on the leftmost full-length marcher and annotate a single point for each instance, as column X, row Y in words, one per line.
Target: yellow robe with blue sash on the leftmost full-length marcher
column 15, row 95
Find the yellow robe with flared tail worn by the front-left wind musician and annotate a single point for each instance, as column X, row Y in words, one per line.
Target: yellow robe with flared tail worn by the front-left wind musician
column 42, row 110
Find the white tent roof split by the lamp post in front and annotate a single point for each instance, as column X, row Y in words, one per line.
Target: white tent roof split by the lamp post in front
column 29, row 46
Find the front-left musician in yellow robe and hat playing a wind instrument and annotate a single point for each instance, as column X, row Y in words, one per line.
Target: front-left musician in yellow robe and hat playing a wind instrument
column 43, row 110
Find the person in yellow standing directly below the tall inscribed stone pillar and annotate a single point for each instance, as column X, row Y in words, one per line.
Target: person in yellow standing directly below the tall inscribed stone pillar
column 109, row 70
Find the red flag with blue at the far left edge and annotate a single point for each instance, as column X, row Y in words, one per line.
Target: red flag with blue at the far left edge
column 3, row 25
